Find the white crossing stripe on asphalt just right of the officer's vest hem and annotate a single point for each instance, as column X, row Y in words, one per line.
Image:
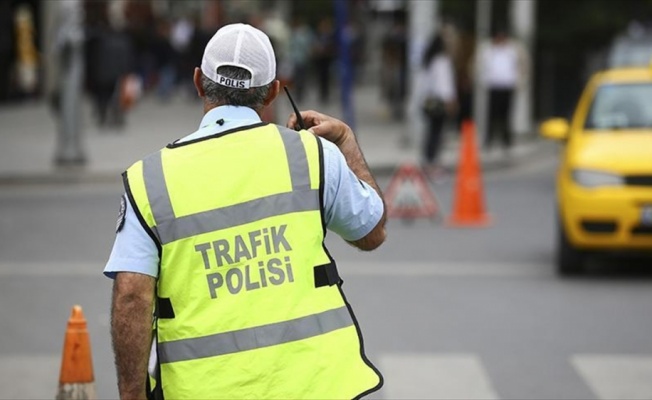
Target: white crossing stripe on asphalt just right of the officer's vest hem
column 416, row 376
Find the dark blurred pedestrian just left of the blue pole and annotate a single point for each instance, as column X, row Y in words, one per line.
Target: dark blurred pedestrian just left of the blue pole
column 325, row 52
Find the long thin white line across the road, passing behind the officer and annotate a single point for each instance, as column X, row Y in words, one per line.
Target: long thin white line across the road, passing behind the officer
column 346, row 268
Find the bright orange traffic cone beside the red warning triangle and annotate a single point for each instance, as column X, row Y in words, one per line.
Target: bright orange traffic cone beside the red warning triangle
column 469, row 207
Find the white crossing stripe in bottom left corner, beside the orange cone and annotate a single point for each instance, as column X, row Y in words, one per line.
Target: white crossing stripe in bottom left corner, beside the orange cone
column 29, row 377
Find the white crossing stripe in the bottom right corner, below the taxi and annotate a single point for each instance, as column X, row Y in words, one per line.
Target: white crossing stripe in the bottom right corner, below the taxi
column 614, row 377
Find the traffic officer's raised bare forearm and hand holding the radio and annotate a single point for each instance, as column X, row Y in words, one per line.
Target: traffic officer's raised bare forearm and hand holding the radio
column 343, row 137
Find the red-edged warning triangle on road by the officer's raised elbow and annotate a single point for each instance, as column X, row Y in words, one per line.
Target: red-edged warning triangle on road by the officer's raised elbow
column 409, row 195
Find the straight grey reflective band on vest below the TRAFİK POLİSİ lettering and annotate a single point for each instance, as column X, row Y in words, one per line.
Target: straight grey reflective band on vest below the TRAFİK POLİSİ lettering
column 255, row 338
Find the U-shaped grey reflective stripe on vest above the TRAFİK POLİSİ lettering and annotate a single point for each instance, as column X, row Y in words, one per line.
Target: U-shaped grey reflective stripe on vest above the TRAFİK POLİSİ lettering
column 170, row 229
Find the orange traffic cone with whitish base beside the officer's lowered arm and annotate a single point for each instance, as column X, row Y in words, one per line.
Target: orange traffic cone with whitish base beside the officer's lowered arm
column 76, row 379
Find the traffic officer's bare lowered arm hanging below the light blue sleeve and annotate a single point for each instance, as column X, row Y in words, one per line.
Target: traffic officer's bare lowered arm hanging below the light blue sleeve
column 131, row 331
